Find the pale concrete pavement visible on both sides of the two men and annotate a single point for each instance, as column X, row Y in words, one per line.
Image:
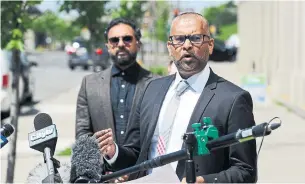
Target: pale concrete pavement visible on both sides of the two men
column 280, row 160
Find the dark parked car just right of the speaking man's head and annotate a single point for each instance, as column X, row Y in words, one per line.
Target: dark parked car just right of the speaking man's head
column 222, row 53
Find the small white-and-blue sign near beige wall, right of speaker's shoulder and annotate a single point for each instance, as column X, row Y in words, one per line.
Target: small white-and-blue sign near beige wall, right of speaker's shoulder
column 256, row 85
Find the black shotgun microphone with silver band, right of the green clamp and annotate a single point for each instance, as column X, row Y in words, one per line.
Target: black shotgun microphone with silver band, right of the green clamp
column 240, row 136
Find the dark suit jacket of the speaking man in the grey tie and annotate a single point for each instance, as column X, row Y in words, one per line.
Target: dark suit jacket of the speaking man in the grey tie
column 230, row 109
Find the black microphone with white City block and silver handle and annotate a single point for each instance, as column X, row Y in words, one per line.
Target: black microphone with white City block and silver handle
column 44, row 139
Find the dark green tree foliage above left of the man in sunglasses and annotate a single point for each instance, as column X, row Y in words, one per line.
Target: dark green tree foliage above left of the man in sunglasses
column 90, row 14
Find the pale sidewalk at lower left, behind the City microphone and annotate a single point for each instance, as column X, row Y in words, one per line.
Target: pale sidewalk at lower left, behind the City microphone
column 62, row 111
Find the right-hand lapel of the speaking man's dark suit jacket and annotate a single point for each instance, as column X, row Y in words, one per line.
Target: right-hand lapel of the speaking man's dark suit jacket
column 203, row 101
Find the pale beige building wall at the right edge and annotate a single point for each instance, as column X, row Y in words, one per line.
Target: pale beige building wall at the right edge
column 272, row 38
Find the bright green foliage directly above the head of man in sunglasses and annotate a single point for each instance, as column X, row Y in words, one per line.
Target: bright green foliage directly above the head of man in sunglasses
column 133, row 10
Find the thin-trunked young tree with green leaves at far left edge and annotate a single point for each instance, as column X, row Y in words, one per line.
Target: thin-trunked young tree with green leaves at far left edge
column 16, row 20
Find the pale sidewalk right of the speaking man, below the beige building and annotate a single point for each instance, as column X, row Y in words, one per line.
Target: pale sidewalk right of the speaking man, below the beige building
column 282, row 154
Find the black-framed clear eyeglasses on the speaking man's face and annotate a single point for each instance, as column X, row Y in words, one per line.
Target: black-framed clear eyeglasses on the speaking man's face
column 195, row 39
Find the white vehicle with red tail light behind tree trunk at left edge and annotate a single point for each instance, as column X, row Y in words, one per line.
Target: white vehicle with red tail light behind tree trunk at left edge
column 26, row 81
